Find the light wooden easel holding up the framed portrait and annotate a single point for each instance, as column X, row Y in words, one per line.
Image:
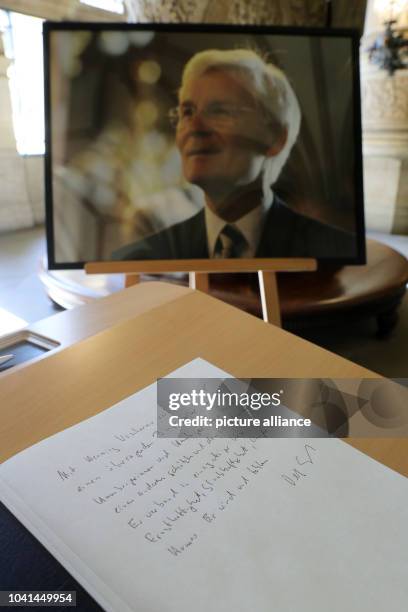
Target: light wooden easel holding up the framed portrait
column 199, row 280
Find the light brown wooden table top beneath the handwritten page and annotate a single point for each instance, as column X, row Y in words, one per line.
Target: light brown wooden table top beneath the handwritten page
column 113, row 347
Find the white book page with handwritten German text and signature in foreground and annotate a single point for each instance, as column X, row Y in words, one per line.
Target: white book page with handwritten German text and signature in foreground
column 147, row 524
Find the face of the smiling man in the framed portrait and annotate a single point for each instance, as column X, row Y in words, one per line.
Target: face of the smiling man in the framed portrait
column 222, row 137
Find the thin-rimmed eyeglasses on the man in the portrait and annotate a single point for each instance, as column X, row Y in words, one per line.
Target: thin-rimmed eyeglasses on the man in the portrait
column 215, row 114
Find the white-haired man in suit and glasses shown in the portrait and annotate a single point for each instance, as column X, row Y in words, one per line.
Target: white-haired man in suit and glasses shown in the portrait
column 236, row 123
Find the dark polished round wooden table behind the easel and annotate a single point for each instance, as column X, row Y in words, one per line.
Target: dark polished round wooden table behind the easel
column 330, row 296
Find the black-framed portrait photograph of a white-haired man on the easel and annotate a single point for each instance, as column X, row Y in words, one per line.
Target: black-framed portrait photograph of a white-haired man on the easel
column 197, row 147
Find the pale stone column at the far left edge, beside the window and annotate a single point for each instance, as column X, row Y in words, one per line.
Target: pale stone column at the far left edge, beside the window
column 15, row 209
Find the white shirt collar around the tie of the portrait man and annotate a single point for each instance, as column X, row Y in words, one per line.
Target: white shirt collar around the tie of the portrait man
column 250, row 226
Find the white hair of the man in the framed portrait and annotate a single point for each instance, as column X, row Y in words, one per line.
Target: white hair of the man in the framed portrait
column 267, row 84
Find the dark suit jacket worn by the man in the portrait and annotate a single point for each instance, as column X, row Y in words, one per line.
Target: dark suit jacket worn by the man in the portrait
column 285, row 234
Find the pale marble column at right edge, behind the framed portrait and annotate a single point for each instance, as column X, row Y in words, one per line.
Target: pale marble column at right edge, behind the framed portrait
column 385, row 138
